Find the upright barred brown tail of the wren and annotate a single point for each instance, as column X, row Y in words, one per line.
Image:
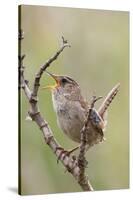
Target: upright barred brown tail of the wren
column 108, row 100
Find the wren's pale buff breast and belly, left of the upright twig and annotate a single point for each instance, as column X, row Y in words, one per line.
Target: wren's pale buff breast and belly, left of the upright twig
column 70, row 117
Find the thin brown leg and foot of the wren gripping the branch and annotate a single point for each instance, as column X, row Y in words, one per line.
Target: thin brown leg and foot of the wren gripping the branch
column 65, row 152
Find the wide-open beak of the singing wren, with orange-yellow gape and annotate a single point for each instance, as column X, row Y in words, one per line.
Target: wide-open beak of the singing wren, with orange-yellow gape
column 57, row 80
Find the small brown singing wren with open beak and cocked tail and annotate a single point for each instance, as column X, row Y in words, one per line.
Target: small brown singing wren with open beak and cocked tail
column 71, row 109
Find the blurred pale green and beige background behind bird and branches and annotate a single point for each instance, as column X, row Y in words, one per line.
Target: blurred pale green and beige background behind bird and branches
column 97, row 60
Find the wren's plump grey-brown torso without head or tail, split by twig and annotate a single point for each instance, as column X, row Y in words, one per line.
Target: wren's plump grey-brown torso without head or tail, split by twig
column 71, row 116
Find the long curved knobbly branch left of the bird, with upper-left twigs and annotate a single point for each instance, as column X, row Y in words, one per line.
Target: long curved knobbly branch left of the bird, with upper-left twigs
column 69, row 163
